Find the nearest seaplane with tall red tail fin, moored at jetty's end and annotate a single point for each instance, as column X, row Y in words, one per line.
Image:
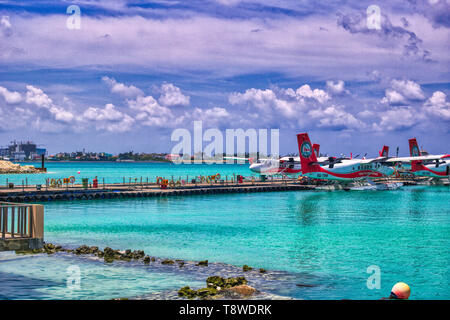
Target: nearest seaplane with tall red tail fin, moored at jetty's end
column 344, row 169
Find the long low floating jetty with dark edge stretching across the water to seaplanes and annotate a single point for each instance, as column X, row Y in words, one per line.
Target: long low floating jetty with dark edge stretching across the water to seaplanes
column 137, row 188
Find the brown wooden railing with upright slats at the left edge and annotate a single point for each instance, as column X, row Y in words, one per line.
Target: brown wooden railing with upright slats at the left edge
column 21, row 221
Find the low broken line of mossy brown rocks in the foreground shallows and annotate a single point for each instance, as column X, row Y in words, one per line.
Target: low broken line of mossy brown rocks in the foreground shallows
column 218, row 287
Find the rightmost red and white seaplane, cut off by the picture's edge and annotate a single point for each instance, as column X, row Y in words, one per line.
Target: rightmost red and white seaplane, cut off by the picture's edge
column 424, row 165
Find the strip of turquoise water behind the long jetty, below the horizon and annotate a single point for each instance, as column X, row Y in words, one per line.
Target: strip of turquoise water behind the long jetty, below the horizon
column 115, row 172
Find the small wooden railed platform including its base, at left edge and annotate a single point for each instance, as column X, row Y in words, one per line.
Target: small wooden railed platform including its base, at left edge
column 21, row 226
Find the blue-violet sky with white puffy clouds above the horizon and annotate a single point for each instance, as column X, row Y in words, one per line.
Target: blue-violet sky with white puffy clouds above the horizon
column 136, row 70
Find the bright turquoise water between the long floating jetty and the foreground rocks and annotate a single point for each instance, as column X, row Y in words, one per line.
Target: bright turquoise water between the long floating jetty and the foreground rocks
column 331, row 236
